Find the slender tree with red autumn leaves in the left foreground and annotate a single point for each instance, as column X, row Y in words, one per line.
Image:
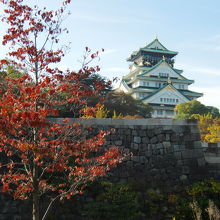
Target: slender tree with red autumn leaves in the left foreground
column 41, row 157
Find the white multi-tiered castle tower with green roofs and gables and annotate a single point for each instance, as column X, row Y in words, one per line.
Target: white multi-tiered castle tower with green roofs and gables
column 154, row 80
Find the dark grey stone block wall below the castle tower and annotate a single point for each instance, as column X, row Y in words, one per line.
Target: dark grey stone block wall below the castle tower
column 166, row 154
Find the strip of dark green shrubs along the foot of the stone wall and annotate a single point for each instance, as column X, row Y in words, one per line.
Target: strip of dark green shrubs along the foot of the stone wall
column 115, row 201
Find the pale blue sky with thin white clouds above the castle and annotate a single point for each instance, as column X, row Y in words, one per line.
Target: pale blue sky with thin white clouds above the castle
column 190, row 27
